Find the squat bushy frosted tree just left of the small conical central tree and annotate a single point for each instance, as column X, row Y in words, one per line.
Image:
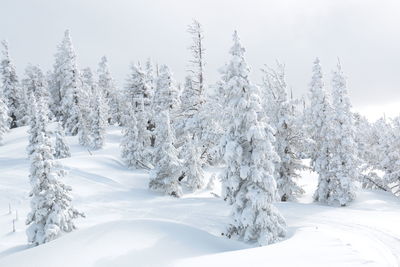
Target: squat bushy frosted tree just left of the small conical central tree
column 136, row 141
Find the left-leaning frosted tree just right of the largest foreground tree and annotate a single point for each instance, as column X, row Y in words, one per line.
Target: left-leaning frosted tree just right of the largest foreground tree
column 288, row 136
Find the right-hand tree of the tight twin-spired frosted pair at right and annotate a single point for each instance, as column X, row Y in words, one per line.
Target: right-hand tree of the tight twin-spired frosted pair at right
column 336, row 182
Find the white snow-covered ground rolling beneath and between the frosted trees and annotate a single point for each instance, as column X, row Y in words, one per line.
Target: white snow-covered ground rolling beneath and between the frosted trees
column 128, row 225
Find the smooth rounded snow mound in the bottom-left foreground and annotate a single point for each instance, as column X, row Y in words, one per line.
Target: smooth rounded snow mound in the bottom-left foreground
column 123, row 243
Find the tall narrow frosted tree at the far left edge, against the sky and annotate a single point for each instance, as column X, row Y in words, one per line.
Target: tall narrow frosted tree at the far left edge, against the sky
column 10, row 87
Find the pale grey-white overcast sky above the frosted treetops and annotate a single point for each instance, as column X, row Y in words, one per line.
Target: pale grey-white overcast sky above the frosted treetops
column 365, row 34
